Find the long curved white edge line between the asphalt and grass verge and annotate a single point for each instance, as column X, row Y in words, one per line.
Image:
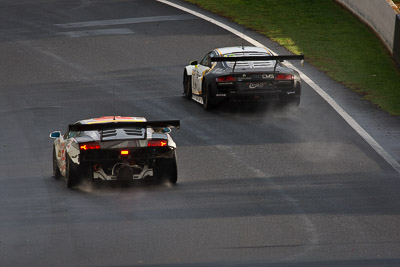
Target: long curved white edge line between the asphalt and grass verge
column 367, row 137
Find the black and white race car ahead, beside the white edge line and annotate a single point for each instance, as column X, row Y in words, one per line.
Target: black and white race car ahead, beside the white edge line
column 241, row 74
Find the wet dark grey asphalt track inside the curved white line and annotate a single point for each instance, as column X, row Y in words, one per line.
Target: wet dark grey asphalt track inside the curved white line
column 256, row 185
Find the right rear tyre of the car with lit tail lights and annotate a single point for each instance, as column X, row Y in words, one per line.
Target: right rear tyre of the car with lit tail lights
column 165, row 170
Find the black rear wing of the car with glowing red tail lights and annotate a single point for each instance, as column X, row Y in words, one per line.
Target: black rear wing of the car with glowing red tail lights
column 116, row 124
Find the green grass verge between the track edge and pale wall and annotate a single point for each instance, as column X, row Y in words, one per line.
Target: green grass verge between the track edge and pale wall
column 329, row 36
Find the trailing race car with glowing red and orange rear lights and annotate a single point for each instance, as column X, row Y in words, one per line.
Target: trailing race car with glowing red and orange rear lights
column 115, row 148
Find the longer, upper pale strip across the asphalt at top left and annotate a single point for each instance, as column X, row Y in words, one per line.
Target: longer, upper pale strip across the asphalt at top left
column 96, row 23
